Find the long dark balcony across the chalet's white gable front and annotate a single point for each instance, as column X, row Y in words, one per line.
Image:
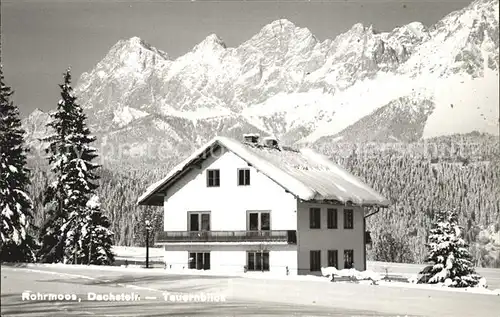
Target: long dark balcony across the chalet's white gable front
column 286, row 236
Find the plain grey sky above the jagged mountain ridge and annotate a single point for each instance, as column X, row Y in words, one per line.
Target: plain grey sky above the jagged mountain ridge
column 40, row 38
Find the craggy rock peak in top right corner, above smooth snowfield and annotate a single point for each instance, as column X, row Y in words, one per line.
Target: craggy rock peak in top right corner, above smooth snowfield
column 464, row 41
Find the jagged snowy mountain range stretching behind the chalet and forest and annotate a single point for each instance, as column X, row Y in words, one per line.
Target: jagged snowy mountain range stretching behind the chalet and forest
column 410, row 83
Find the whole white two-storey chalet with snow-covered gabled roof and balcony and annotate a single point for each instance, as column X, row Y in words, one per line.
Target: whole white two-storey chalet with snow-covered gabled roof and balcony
column 254, row 205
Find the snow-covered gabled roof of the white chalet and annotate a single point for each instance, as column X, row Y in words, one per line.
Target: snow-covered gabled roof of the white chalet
column 304, row 173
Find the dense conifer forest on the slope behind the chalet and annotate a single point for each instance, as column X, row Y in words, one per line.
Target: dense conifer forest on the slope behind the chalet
column 416, row 185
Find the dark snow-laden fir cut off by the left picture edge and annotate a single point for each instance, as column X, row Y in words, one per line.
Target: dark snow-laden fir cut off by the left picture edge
column 17, row 244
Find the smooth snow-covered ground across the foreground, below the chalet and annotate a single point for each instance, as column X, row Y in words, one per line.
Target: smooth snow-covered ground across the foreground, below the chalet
column 244, row 296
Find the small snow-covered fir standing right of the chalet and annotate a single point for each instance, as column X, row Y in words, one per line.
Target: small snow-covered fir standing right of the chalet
column 452, row 262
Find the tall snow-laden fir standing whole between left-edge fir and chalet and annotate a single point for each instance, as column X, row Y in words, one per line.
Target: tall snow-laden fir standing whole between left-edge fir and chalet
column 75, row 230
